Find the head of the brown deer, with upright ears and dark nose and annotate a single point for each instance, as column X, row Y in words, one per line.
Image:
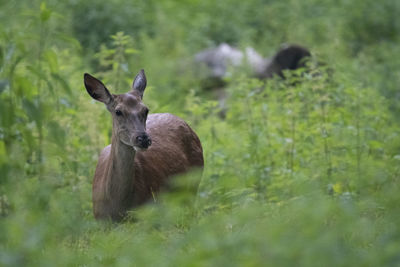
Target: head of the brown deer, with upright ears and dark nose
column 128, row 112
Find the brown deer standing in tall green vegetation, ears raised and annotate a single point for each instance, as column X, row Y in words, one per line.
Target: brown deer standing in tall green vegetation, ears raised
column 144, row 152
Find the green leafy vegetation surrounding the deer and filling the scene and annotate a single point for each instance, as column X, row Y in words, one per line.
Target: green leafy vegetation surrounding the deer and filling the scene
column 302, row 172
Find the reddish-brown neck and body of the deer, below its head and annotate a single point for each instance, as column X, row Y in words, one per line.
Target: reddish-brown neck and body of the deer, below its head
column 175, row 149
